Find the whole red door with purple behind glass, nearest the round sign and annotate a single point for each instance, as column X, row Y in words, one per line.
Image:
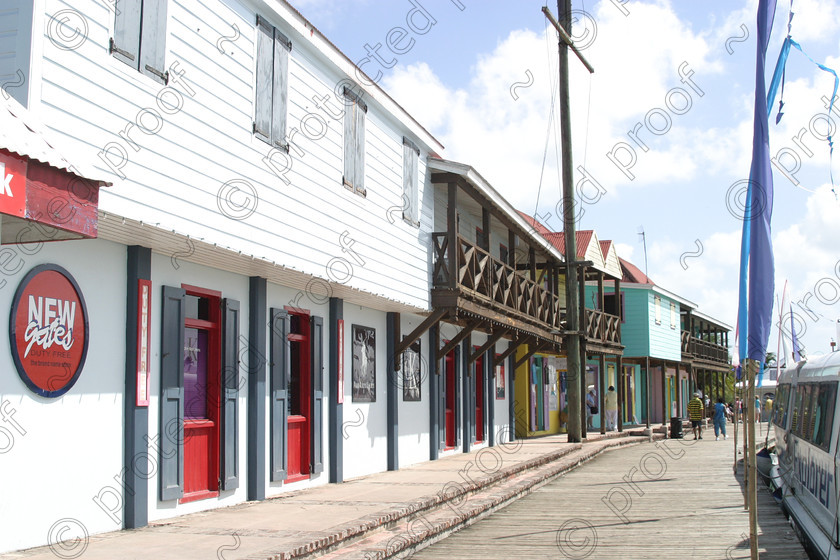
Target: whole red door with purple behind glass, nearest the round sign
column 202, row 376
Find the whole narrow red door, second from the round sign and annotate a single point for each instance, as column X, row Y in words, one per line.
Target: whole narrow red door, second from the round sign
column 299, row 418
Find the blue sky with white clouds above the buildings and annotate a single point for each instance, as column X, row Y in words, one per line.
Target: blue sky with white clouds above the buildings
column 661, row 132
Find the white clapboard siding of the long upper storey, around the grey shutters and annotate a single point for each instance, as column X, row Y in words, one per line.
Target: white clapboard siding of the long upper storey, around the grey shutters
column 173, row 181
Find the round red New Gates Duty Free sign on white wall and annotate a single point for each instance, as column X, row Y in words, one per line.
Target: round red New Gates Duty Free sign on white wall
column 48, row 330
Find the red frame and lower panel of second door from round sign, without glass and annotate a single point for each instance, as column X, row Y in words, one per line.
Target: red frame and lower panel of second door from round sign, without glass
column 302, row 422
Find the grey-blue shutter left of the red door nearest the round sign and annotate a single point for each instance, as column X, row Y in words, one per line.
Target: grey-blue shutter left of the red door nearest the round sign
column 172, row 394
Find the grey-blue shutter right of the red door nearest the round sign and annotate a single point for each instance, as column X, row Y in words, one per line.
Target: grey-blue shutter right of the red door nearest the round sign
column 230, row 395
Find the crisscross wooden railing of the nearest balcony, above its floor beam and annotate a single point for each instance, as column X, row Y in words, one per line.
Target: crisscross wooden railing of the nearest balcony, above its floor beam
column 488, row 280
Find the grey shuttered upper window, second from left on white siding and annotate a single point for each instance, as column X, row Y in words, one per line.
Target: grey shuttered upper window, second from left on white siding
column 271, row 87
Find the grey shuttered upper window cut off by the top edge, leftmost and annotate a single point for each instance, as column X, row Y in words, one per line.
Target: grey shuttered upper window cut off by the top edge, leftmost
column 140, row 36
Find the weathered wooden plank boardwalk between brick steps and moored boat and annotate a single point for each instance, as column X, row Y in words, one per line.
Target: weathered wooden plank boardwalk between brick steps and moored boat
column 669, row 499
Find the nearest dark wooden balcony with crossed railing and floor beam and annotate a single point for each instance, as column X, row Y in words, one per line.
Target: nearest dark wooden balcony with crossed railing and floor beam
column 479, row 284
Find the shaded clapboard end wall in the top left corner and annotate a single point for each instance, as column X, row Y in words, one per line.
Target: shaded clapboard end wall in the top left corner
column 15, row 48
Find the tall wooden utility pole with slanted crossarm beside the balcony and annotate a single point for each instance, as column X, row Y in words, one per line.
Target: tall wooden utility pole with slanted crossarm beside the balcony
column 574, row 368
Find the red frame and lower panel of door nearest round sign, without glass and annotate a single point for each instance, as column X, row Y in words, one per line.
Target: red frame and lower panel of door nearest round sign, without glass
column 213, row 326
